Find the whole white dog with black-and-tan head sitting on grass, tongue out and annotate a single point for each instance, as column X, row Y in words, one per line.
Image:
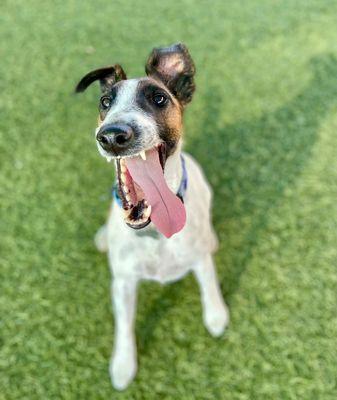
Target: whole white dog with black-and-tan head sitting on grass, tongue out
column 159, row 226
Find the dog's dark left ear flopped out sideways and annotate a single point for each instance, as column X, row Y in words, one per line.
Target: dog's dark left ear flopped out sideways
column 107, row 77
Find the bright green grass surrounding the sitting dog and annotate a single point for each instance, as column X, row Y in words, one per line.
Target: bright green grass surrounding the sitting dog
column 263, row 124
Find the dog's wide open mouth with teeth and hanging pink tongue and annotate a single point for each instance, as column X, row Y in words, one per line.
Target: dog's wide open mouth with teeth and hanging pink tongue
column 145, row 195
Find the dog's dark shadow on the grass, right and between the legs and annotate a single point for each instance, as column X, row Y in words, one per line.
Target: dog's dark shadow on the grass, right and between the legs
column 250, row 164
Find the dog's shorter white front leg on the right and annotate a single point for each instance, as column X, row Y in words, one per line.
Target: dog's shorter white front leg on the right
column 215, row 312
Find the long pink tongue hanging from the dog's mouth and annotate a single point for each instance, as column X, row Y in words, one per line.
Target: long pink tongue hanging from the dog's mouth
column 168, row 212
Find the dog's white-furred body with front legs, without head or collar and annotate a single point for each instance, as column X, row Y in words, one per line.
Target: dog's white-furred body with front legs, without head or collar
column 133, row 258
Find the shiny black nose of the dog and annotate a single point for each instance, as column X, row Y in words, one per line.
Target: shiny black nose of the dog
column 115, row 137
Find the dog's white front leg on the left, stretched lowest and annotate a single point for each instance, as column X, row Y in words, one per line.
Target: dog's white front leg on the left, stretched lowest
column 123, row 364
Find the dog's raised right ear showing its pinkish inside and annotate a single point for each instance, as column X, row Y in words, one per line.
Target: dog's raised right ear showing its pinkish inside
column 175, row 68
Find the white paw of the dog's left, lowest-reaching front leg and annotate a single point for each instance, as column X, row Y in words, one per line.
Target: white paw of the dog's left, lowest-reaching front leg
column 123, row 368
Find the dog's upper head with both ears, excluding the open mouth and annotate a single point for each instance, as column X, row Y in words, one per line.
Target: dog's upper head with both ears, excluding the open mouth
column 136, row 115
